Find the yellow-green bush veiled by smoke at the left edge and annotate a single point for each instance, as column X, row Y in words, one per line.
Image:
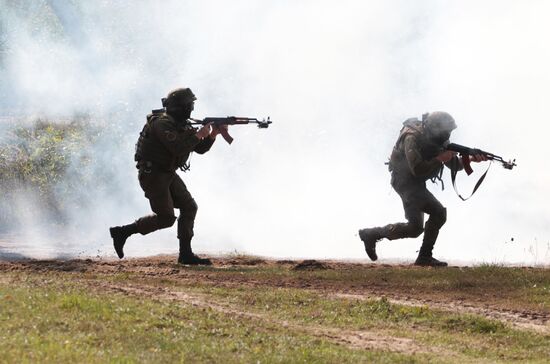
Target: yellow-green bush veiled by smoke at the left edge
column 47, row 163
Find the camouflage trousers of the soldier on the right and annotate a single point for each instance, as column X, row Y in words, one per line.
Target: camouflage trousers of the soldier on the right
column 417, row 201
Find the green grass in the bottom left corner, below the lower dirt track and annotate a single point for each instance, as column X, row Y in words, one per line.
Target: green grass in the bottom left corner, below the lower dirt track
column 65, row 323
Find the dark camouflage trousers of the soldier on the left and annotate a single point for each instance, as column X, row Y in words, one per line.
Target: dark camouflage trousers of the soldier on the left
column 166, row 191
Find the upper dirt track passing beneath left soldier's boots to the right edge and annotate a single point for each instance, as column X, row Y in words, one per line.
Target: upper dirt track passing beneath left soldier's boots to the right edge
column 158, row 267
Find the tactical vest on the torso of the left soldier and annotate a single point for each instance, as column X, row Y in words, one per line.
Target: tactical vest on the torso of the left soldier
column 151, row 151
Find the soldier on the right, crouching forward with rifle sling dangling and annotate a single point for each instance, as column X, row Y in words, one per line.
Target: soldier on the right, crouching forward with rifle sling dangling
column 418, row 155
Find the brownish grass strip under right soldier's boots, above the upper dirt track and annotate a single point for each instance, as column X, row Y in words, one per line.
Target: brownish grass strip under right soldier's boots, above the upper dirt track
column 507, row 287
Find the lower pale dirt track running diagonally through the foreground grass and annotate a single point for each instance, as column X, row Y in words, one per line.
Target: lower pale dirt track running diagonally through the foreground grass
column 364, row 340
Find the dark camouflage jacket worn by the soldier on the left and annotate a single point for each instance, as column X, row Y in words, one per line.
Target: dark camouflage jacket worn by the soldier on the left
column 167, row 144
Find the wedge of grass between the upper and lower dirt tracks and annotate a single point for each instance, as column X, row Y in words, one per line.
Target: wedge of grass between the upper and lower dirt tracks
column 470, row 335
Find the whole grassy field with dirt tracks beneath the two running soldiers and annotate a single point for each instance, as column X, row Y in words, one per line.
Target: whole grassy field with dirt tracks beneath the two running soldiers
column 250, row 309
